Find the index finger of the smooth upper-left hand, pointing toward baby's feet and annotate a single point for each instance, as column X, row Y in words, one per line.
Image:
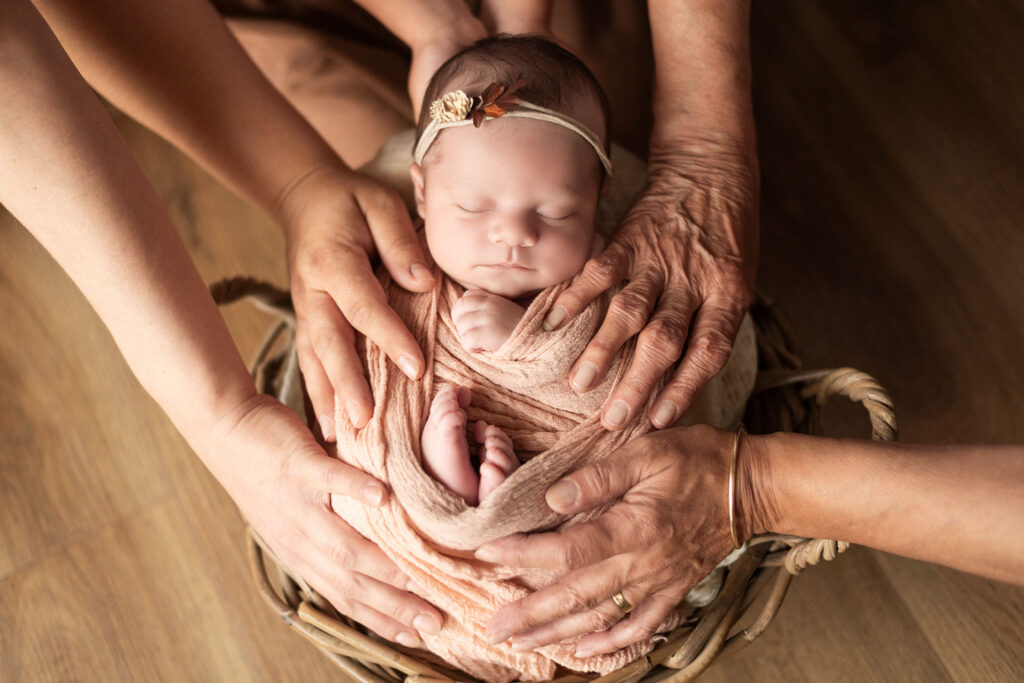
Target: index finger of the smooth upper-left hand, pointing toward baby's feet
column 362, row 301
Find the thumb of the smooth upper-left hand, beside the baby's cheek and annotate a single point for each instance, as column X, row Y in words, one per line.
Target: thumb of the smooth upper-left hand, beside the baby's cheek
column 395, row 236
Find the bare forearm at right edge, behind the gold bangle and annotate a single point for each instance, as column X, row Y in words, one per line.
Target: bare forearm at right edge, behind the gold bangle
column 961, row 506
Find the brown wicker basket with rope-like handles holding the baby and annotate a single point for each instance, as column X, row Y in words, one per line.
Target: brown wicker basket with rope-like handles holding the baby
column 787, row 399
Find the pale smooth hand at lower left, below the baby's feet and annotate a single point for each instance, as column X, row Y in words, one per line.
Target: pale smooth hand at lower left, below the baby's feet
column 282, row 481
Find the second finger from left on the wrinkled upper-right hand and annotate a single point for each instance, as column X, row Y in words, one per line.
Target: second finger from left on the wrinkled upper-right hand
column 628, row 314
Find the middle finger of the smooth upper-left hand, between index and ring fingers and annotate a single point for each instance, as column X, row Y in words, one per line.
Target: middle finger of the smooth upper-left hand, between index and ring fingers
column 334, row 344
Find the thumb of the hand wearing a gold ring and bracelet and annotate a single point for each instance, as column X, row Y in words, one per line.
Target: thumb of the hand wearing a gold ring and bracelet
column 594, row 485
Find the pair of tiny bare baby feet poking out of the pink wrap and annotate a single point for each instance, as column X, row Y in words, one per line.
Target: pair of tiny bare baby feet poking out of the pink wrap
column 446, row 449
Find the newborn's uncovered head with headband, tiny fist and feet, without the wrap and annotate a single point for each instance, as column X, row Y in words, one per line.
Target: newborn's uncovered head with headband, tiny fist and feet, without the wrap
column 509, row 209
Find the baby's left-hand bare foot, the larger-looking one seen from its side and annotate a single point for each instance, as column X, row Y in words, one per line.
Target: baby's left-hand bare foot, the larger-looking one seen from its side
column 446, row 451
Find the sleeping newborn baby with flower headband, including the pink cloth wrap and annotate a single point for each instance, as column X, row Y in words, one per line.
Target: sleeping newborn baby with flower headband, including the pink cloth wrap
column 510, row 162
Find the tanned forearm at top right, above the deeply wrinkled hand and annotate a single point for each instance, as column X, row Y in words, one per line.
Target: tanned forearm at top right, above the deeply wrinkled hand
column 703, row 70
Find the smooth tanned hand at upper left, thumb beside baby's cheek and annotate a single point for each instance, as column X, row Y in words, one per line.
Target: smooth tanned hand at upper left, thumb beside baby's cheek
column 333, row 219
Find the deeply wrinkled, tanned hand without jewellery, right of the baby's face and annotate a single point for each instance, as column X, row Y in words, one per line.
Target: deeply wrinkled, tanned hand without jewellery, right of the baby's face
column 689, row 250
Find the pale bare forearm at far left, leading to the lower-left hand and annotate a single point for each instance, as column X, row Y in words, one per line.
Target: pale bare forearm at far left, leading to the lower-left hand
column 70, row 179
